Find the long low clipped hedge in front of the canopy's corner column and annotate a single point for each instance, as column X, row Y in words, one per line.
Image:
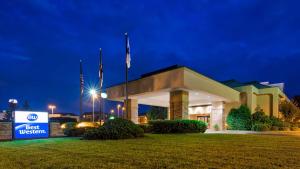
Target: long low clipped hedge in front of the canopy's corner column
column 178, row 126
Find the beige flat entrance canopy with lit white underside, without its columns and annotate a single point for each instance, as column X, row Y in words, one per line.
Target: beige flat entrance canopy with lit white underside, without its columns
column 154, row 88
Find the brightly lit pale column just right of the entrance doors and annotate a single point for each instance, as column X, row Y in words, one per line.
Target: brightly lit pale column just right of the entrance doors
column 217, row 113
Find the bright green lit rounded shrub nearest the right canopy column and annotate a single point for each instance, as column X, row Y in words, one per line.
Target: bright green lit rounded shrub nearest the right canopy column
column 239, row 119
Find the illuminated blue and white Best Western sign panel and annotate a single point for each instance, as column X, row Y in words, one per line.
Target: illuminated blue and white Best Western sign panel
column 30, row 124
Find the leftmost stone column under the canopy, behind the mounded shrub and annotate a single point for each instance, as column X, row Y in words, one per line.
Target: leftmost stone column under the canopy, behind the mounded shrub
column 132, row 112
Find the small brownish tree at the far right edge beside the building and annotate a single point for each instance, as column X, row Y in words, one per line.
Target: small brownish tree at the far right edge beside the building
column 289, row 110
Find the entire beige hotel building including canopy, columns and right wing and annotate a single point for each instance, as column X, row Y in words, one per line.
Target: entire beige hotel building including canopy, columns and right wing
column 190, row 95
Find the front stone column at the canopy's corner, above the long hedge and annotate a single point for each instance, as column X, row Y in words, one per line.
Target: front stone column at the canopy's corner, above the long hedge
column 179, row 104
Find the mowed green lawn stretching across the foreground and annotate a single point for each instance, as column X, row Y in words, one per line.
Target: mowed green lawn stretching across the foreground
column 155, row 151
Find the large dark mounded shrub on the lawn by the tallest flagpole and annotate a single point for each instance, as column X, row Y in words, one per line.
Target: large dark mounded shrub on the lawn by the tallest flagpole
column 115, row 129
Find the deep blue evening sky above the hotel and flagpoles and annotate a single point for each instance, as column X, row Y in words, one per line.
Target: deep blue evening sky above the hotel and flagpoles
column 42, row 41
